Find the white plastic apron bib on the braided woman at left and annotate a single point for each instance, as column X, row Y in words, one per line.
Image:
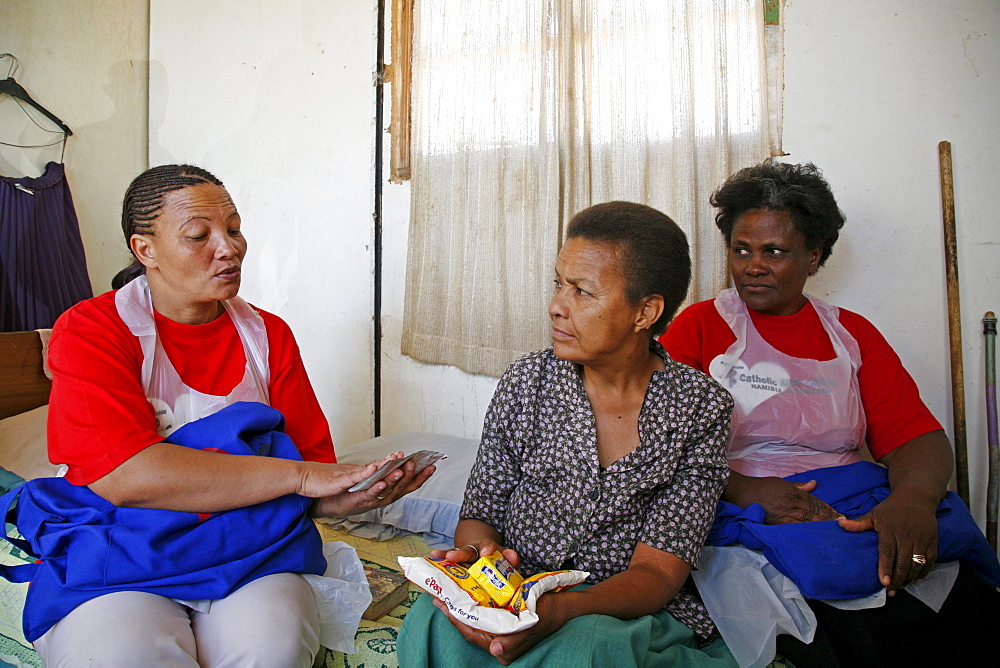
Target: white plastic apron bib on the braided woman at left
column 174, row 403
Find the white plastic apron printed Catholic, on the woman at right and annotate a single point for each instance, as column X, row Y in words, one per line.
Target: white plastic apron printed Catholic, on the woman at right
column 791, row 414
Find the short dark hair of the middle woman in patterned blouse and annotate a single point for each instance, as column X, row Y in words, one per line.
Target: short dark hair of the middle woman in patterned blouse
column 652, row 251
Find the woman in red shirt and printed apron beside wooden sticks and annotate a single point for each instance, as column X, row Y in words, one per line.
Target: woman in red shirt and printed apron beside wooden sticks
column 812, row 383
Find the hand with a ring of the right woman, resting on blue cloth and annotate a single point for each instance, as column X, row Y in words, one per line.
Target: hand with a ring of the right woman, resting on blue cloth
column 907, row 535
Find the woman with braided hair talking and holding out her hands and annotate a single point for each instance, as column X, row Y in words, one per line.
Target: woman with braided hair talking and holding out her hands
column 171, row 347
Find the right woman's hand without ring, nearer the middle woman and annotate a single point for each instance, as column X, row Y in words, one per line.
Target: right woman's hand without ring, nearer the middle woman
column 783, row 501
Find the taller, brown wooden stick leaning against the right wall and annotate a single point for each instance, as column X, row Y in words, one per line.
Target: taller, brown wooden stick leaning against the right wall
column 954, row 321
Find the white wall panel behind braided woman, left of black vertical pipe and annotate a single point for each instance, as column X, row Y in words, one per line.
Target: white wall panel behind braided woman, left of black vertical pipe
column 276, row 99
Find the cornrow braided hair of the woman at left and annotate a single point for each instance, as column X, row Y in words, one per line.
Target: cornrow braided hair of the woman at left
column 143, row 201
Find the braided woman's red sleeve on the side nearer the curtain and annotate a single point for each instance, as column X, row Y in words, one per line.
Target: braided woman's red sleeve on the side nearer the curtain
column 293, row 395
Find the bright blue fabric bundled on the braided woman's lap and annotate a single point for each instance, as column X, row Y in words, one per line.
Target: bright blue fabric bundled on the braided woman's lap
column 87, row 547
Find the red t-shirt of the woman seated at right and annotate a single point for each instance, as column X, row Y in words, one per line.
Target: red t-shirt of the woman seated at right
column 894, row 412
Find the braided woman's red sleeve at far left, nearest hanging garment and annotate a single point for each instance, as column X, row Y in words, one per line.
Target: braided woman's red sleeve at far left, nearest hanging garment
column 98, row 413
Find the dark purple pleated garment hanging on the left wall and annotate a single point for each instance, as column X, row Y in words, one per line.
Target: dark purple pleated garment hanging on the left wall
column 43, row 270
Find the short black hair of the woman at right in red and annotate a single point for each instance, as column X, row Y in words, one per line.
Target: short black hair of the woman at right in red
column 800, row 190
